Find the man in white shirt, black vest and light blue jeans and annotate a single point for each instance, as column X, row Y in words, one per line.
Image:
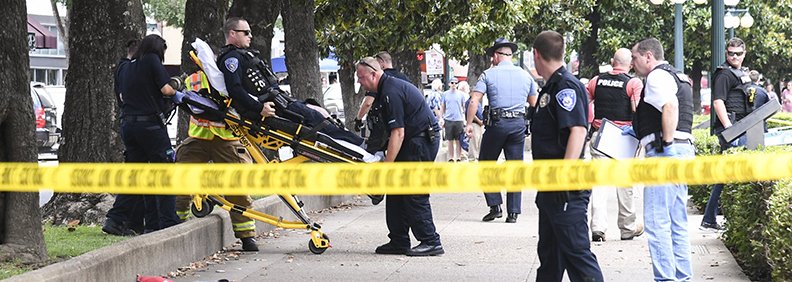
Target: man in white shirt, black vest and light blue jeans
column 663, row 122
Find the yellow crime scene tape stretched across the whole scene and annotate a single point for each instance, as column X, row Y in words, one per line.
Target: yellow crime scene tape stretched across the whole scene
column 388, row 178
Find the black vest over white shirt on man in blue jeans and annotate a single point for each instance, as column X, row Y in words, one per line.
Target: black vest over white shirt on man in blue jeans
column 648, row 119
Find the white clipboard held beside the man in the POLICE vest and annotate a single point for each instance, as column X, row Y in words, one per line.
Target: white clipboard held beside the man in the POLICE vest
column 611, row 143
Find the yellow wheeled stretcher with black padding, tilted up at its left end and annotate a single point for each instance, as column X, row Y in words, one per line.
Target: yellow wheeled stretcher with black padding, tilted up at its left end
column 271, row 133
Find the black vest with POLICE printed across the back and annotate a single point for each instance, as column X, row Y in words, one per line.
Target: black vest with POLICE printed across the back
column 610, row 97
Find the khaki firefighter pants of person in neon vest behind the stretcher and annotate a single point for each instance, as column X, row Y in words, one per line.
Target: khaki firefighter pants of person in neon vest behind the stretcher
column 217, row 150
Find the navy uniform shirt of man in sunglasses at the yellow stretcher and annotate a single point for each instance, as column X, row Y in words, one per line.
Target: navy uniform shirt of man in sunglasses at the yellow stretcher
column 233, row 65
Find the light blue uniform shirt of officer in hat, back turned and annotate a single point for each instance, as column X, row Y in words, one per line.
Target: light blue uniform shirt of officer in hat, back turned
column 507, row 87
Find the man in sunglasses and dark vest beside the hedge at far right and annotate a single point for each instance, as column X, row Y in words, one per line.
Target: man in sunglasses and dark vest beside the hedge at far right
column 731, row 102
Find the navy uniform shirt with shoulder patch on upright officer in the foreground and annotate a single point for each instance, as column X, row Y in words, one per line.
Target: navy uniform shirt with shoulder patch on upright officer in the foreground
column 562, row 104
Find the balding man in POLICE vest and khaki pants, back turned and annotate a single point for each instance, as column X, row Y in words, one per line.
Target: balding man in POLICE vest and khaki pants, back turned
column 615, row 95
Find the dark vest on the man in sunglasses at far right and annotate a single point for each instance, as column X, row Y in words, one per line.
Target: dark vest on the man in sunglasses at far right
column 725, row 86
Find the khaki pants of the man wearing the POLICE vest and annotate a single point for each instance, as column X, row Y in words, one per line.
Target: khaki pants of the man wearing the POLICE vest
column 599, row 203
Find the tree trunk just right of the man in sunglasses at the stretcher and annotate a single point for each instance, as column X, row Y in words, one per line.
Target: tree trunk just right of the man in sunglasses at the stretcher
column 302, row 51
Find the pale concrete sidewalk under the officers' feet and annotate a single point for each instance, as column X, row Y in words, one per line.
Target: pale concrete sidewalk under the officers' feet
column 475, row 251
